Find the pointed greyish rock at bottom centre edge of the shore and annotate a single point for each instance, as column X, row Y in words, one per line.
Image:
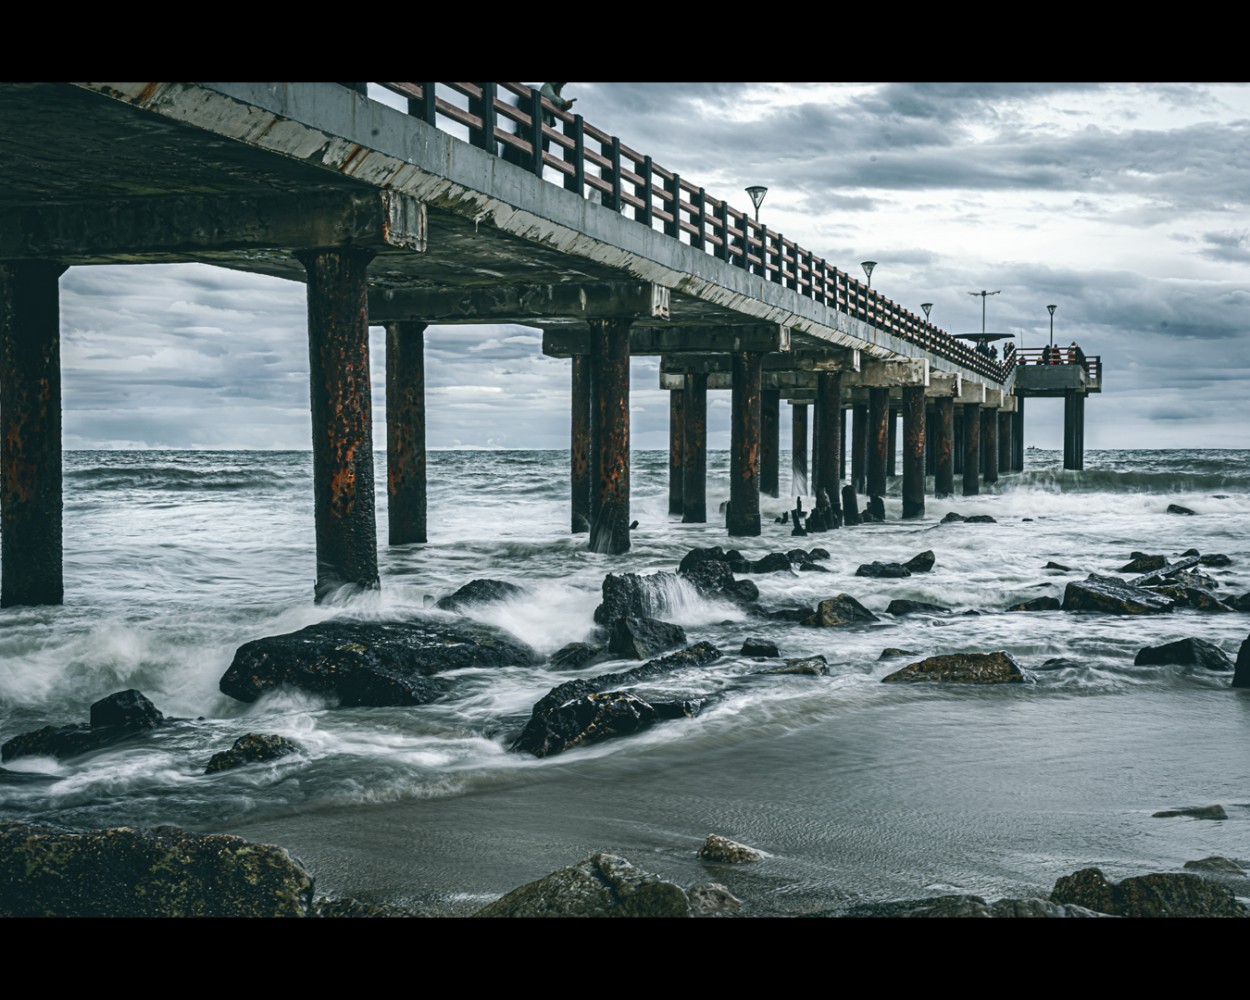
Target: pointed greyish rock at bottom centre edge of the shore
column 604, row 886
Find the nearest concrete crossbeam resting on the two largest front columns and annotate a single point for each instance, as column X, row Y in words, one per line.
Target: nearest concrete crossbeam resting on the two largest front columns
column 196, row 228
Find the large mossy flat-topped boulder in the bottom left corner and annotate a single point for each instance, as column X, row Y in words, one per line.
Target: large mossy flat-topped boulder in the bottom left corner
column 159, row 873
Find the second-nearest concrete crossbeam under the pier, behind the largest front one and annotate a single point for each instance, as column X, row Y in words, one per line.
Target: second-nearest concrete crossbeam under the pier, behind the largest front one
column 532, row 304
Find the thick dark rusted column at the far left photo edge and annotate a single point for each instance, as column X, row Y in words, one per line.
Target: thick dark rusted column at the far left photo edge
column 31, row 434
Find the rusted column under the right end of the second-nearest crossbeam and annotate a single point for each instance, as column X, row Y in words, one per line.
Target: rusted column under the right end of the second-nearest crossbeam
column 609, row 437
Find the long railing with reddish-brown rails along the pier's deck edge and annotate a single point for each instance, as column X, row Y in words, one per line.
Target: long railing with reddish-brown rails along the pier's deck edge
column 591, row 161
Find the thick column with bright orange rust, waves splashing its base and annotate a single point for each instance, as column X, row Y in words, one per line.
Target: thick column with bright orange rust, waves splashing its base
column 343, row 441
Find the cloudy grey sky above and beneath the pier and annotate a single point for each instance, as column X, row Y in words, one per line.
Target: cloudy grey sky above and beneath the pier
column 1124, row 204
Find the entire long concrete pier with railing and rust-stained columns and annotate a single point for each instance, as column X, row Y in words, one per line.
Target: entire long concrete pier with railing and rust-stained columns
column 449, row 213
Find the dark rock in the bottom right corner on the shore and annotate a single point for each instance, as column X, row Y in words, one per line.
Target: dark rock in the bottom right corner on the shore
column 1163, row 894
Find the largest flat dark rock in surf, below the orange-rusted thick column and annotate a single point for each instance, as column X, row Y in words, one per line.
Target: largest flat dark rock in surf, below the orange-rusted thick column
column 368, row 663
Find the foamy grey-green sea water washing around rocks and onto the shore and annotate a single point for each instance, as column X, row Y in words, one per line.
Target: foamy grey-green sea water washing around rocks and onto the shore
column 856, row 791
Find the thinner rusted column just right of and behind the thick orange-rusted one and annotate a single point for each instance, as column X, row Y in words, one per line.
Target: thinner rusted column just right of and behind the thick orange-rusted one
column 406, row 433
